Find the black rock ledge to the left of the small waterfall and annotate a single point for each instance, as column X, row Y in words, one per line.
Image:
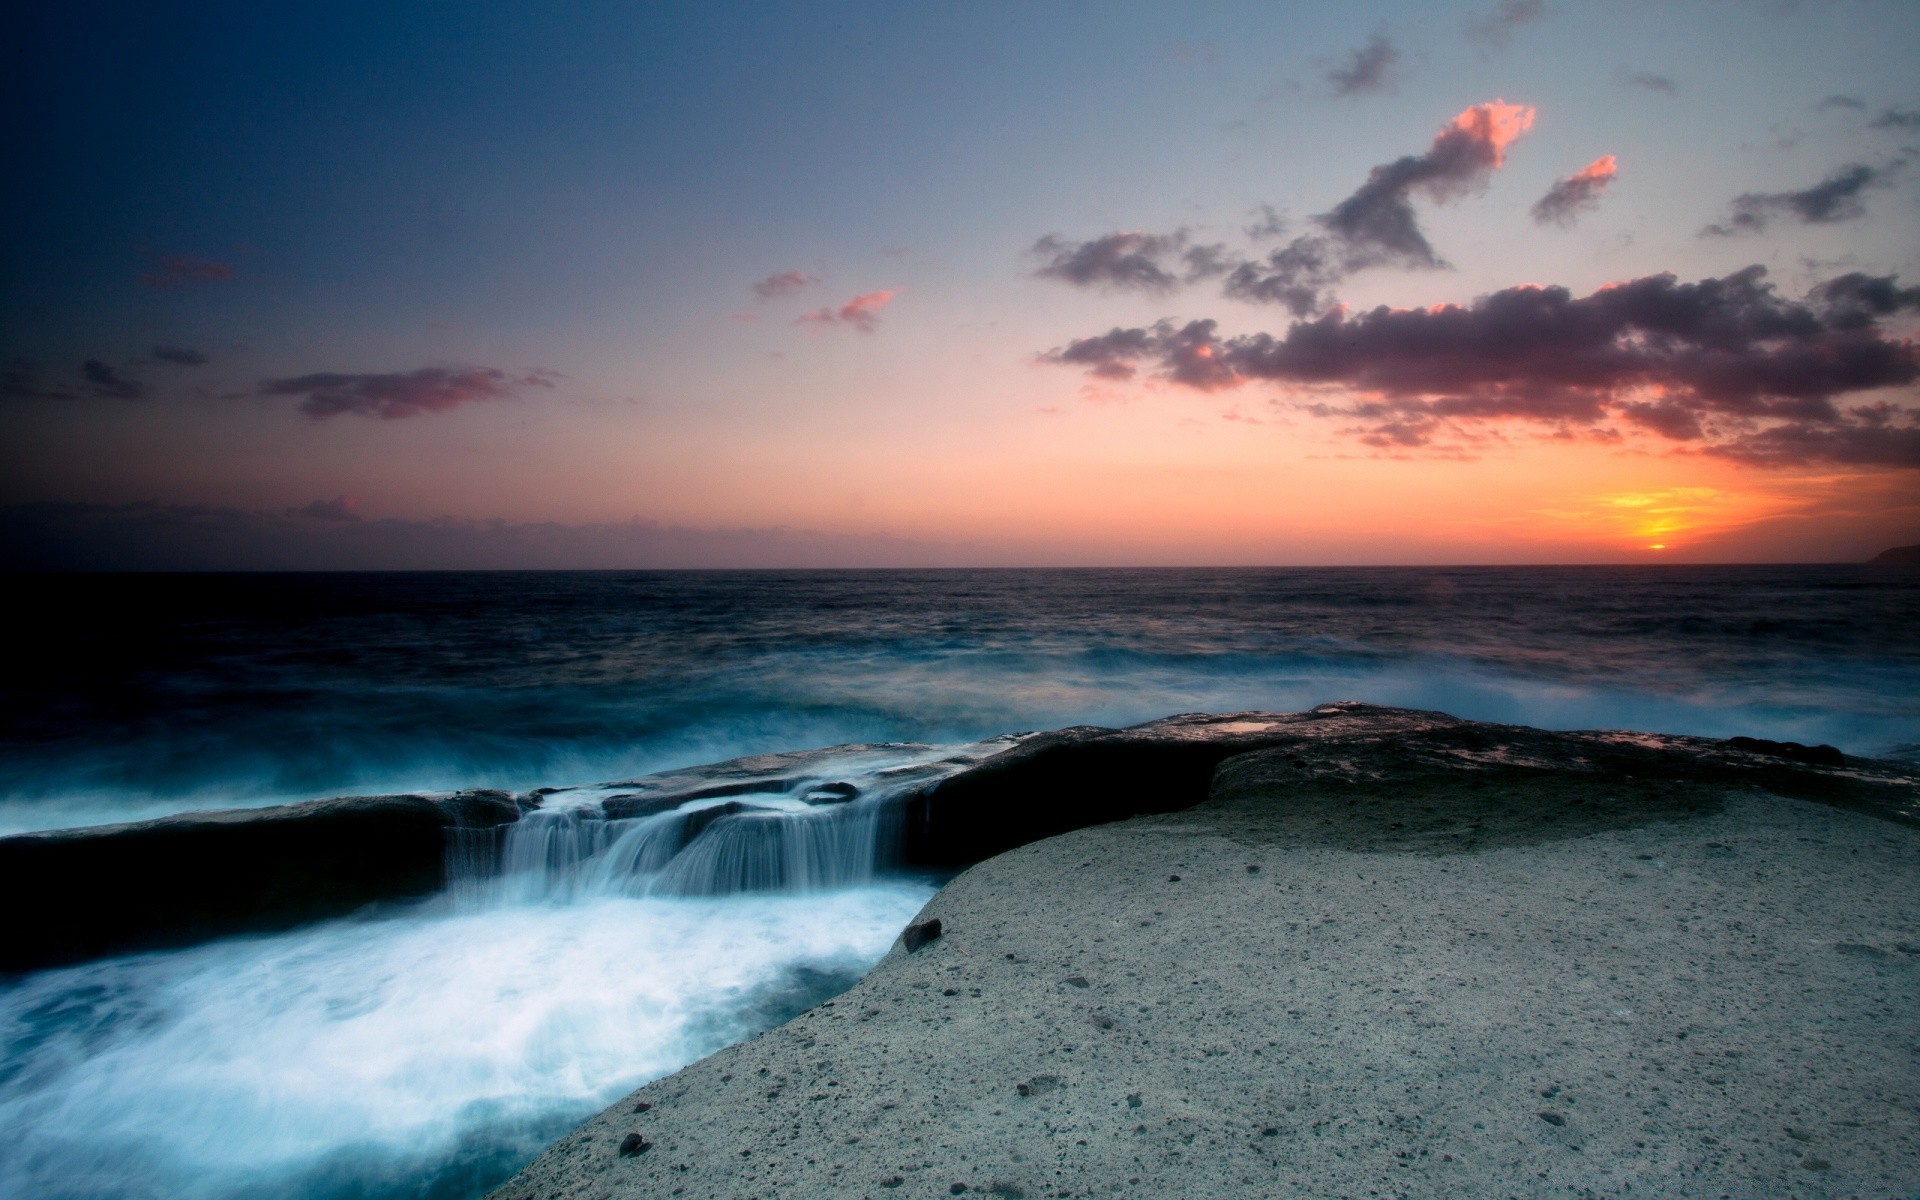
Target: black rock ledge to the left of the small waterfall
column 214, row 875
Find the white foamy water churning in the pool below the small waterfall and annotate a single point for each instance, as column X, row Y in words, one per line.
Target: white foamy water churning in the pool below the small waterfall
column 352, row 1049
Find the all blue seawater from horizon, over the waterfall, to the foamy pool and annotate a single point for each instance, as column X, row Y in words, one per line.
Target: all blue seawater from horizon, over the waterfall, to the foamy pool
column 429, row 1049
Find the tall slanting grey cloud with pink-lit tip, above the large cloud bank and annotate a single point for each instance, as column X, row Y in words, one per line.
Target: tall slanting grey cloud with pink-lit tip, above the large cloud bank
column 1376, row 226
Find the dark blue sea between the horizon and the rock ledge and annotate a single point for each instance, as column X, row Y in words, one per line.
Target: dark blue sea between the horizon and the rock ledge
column 137, row 696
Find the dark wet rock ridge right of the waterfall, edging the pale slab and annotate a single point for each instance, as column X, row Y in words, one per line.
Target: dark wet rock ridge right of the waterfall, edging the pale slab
column 1074, row 779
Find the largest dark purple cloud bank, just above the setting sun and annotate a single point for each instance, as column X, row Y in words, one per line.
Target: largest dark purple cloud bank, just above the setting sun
column 1725, row 366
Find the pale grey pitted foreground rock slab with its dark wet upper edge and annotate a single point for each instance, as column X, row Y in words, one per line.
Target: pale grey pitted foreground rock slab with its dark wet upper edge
column 1404, row 957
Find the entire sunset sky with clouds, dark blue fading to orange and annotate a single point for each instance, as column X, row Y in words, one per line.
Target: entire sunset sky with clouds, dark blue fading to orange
column 967, row 285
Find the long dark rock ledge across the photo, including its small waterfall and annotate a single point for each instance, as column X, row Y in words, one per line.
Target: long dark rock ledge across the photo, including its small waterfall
column 782, row 823
